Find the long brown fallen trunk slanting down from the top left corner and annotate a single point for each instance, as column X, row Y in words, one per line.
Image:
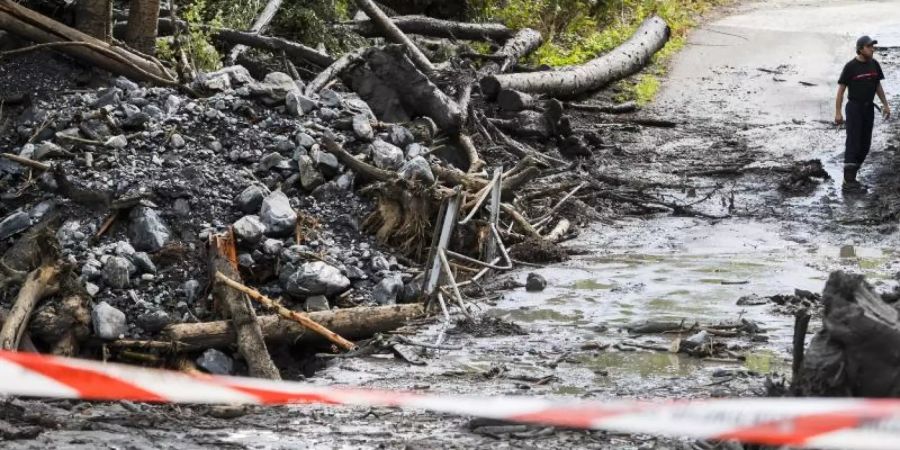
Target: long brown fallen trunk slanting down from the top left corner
column 36, row 27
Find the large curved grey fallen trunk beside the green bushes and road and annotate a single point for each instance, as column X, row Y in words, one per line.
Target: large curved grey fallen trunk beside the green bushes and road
column 622, row 61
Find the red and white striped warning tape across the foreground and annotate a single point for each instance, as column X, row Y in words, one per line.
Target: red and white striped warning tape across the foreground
column 808, row 423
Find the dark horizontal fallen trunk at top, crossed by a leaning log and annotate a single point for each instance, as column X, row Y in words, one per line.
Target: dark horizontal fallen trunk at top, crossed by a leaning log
column 427, row 26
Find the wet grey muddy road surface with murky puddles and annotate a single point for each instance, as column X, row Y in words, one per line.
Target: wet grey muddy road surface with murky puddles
column 745, row 113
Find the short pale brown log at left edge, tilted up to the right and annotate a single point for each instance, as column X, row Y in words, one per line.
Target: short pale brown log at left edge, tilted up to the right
column 39, row 283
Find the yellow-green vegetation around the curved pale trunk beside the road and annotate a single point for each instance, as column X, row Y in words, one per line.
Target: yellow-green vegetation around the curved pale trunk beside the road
column 576, row 31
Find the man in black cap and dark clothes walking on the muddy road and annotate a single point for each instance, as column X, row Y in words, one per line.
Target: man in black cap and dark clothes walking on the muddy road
column 862, row 77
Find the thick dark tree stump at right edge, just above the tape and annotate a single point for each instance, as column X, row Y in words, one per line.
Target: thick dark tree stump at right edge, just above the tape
column 857, row 352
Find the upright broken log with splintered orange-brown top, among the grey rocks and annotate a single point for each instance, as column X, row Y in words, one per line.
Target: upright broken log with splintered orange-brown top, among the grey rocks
column 236, row 306
